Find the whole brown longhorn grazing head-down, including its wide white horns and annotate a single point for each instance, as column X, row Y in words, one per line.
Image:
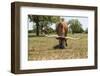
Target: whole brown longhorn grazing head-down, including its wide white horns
column 62, row 30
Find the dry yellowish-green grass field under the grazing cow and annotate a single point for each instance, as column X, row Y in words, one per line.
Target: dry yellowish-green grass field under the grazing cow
column 41, row 48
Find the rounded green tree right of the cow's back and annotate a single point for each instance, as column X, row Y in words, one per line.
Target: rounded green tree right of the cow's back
column 75, row 26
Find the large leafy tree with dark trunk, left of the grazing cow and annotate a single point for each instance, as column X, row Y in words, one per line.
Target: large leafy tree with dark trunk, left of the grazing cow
column 42, row 21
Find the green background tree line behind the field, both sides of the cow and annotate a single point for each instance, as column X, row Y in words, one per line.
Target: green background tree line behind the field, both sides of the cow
column 44, row 22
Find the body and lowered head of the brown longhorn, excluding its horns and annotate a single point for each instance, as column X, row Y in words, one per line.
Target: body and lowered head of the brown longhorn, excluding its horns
column 62, row 30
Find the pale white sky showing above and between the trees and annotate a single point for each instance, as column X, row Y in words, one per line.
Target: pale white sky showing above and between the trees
column 83, row 21
